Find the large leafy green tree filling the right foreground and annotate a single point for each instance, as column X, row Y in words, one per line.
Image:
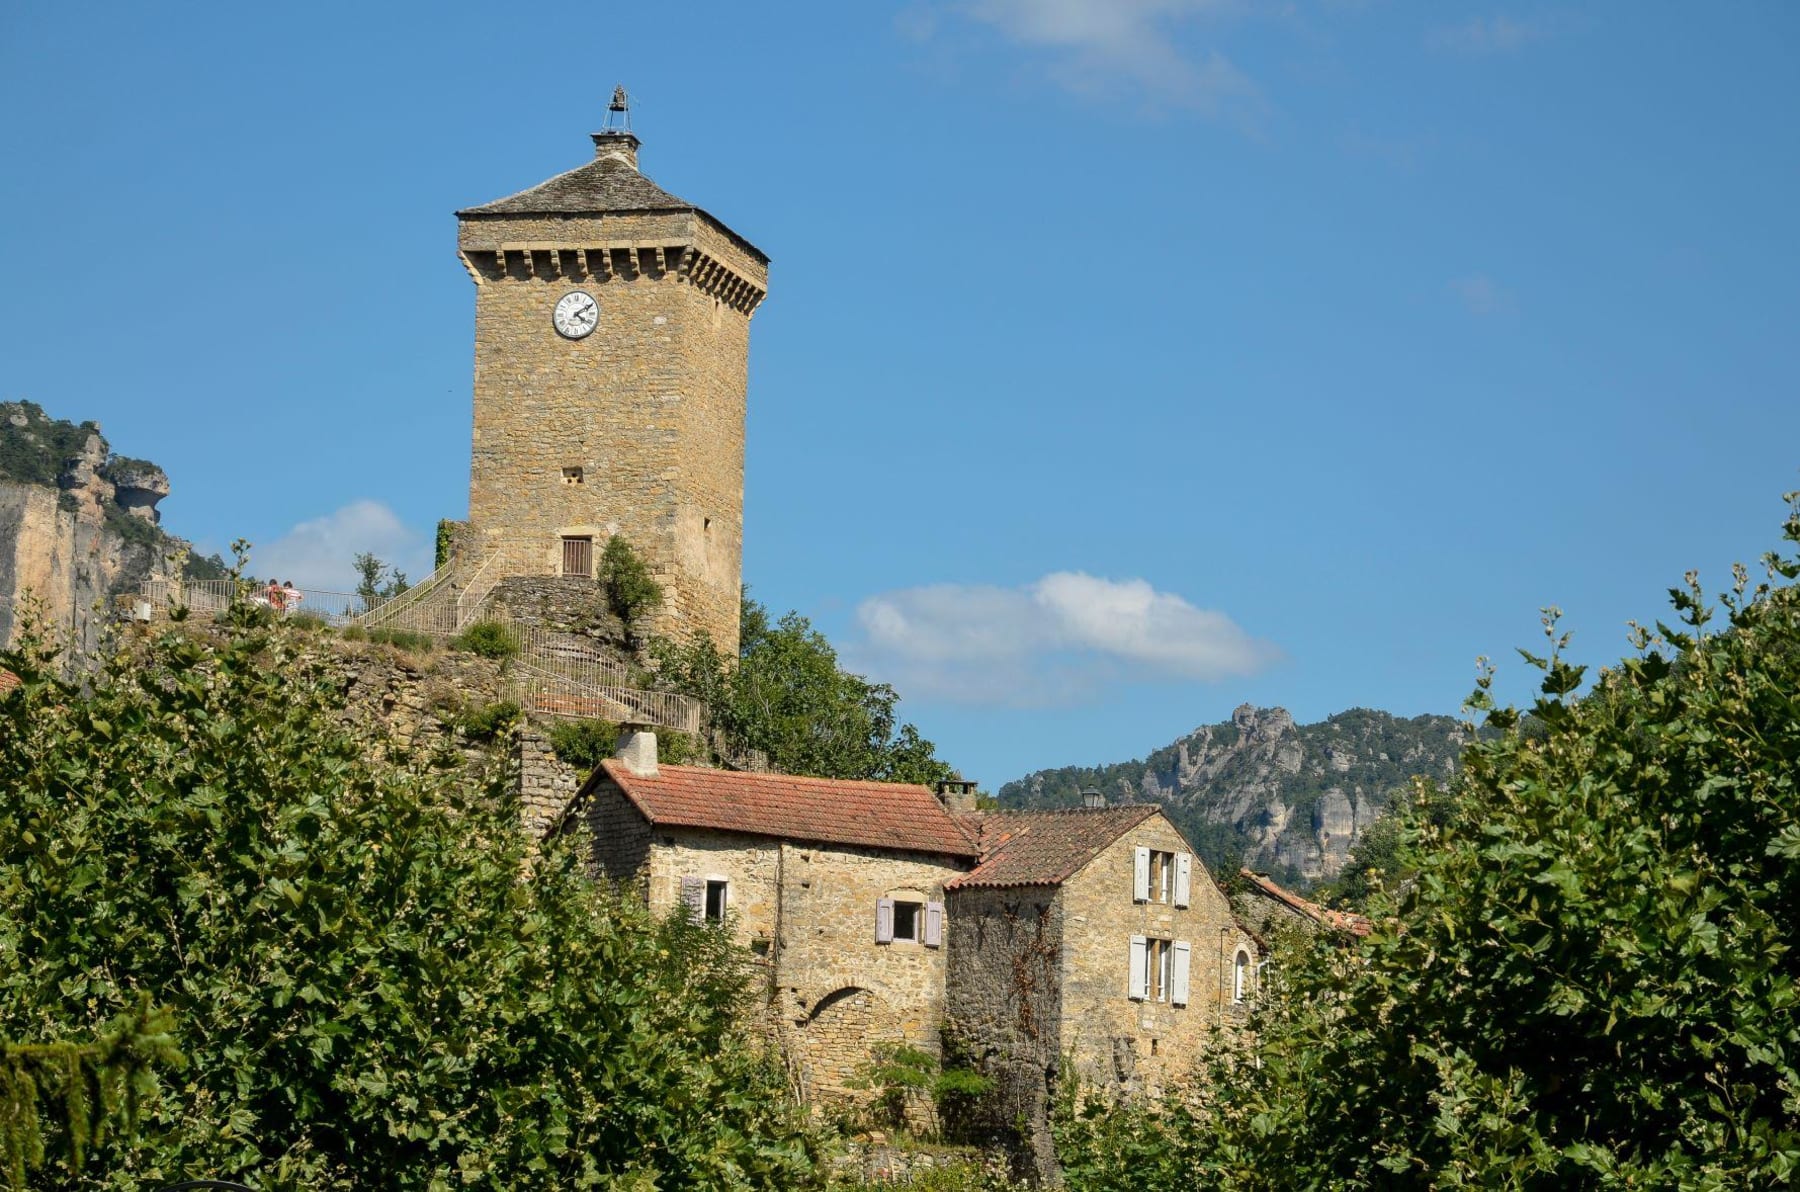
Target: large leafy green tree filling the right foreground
column 1590, row 982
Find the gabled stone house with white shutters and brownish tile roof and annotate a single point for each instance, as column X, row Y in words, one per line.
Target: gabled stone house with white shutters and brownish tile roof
column 1093, row 939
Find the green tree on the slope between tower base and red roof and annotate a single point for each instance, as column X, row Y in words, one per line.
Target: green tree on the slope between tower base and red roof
column 787, row 698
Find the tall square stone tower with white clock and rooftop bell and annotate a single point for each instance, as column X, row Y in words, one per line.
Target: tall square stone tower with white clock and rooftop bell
column 613, row 327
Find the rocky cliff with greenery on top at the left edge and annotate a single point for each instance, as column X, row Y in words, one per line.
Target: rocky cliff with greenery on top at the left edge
column 76, row 523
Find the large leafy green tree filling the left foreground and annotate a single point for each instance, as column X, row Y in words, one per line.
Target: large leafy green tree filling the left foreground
column 375, row 984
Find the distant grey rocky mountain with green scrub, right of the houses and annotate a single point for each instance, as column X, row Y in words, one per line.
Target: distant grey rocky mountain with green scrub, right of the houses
column 1288, row 799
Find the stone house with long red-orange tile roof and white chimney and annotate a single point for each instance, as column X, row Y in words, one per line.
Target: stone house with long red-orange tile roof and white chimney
column 838, row 887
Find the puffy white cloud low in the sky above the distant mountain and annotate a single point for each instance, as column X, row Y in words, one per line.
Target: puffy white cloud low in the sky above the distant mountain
column 1057, row 640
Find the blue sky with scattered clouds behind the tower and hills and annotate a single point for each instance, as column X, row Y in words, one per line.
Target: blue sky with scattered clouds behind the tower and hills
column 1124, row 361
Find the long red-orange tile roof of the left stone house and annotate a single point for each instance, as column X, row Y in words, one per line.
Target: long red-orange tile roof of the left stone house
column 827, row 811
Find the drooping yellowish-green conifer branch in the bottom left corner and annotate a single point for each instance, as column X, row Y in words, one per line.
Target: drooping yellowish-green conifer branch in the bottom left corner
column 98, row 1087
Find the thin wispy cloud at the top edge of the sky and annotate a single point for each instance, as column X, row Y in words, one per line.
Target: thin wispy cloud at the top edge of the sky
column 1101, row 44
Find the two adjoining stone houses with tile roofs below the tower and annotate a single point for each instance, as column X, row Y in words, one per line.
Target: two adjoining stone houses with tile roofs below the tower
column 894, row 914
